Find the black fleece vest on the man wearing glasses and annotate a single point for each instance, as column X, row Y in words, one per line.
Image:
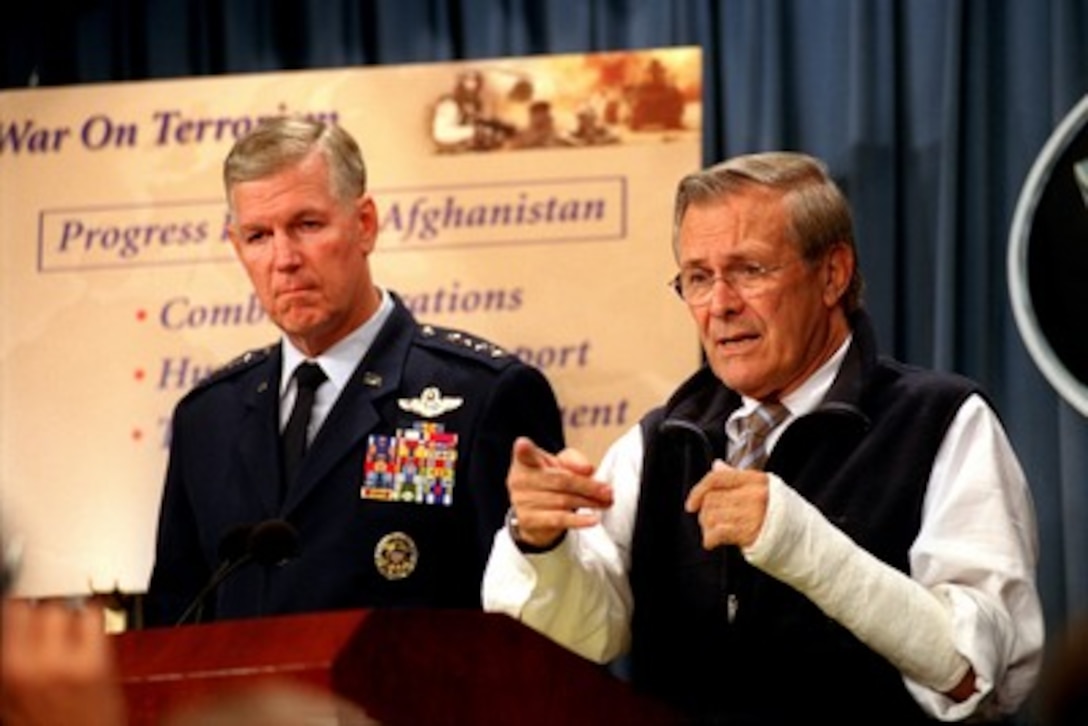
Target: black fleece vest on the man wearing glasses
column 863, row 458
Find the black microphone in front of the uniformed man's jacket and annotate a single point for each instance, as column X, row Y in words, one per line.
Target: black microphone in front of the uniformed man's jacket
column 270, row 543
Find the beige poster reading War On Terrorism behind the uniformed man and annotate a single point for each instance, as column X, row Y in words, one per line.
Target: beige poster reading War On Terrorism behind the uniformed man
column 527, row 201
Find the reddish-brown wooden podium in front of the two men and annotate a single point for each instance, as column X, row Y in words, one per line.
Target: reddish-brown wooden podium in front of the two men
column 401, row 667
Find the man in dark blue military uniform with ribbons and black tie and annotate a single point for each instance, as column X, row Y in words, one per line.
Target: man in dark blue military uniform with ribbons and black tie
column 404, row 434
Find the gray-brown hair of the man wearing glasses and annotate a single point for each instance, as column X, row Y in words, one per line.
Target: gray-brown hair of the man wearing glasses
column 820, row 216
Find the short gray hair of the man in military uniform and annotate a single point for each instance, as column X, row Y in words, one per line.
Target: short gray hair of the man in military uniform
column 282, row 142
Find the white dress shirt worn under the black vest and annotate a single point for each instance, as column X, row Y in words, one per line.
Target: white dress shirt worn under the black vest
column 979, row 542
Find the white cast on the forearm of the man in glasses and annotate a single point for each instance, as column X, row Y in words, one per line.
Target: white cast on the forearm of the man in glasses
column 896, row 617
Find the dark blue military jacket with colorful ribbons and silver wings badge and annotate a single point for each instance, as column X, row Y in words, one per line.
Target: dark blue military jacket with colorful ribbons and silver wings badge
column 360, row 546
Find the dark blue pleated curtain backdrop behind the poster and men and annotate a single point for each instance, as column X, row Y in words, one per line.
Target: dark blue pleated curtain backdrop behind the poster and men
column 931, row 113
